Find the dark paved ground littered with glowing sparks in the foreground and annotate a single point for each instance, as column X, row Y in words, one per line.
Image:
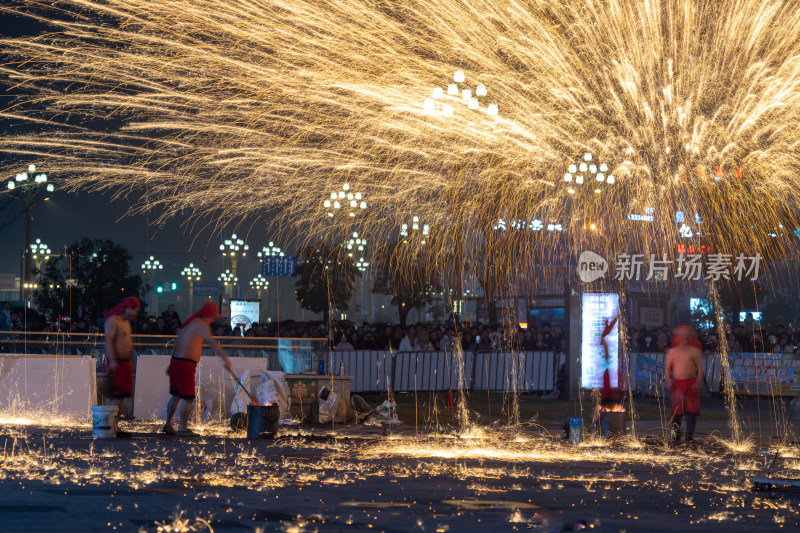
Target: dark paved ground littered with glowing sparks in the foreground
column 353, row 478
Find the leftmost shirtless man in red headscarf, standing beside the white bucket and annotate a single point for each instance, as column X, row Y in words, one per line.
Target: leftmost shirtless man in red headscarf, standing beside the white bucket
column 119, row 350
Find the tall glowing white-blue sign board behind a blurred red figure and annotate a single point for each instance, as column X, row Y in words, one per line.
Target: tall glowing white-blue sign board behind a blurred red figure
column 596, row 311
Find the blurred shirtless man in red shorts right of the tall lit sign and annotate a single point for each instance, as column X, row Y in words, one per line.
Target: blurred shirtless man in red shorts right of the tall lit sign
column 684, row 376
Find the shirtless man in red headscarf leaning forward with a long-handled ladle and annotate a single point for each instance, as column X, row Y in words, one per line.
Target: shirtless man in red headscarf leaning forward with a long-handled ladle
column 183, row 365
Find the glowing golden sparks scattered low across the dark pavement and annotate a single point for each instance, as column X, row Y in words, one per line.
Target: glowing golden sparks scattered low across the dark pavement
column 707, row 484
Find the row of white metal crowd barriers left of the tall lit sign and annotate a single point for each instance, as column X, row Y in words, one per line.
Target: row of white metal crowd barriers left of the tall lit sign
column 376, row 371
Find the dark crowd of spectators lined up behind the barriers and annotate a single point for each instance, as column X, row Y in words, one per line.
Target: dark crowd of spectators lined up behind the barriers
column 748, row 336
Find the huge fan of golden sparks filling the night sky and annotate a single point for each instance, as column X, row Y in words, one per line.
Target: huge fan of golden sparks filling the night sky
column 261, row 108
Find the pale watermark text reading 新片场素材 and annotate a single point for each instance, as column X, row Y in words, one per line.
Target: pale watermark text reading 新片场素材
column 634, row 267
